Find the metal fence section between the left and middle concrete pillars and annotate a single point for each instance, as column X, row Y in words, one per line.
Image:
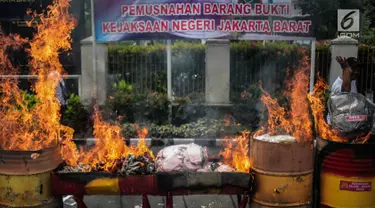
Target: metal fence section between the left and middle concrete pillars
column 146, row 69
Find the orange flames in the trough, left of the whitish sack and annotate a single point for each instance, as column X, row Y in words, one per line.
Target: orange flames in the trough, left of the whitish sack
column 109, row 146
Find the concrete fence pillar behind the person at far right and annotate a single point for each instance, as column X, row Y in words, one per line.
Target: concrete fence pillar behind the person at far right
column 345, row 47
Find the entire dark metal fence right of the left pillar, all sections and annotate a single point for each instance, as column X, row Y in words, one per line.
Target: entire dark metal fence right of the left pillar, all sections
column 148, row 71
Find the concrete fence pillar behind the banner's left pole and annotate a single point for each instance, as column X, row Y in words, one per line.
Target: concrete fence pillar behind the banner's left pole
column 88, row 86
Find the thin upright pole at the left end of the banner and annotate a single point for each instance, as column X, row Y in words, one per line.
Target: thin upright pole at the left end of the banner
column 94, row 79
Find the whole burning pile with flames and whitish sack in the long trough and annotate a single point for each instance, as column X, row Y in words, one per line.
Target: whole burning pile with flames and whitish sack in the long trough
column 111, row 154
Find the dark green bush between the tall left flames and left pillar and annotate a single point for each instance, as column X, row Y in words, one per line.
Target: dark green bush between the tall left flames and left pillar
column 75, row 115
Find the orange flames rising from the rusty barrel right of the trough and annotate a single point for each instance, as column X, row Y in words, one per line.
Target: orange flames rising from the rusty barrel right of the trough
column 295, row 122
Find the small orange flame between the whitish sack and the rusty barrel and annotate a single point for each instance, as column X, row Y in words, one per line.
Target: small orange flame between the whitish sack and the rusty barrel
column 236, row 154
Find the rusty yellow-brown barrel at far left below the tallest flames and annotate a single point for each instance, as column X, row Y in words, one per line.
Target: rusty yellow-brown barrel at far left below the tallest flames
column 25, row 178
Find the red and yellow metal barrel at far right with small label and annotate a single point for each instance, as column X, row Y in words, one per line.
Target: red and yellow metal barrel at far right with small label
column 346, row 174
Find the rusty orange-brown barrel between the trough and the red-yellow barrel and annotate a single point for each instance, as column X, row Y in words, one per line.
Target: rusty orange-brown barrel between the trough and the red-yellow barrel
column 283, row 174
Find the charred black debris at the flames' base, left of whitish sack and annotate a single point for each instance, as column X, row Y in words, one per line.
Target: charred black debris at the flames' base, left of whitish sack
column 130, row 165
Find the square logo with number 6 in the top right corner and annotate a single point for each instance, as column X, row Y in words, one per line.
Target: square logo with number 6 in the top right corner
column 348, row 20
